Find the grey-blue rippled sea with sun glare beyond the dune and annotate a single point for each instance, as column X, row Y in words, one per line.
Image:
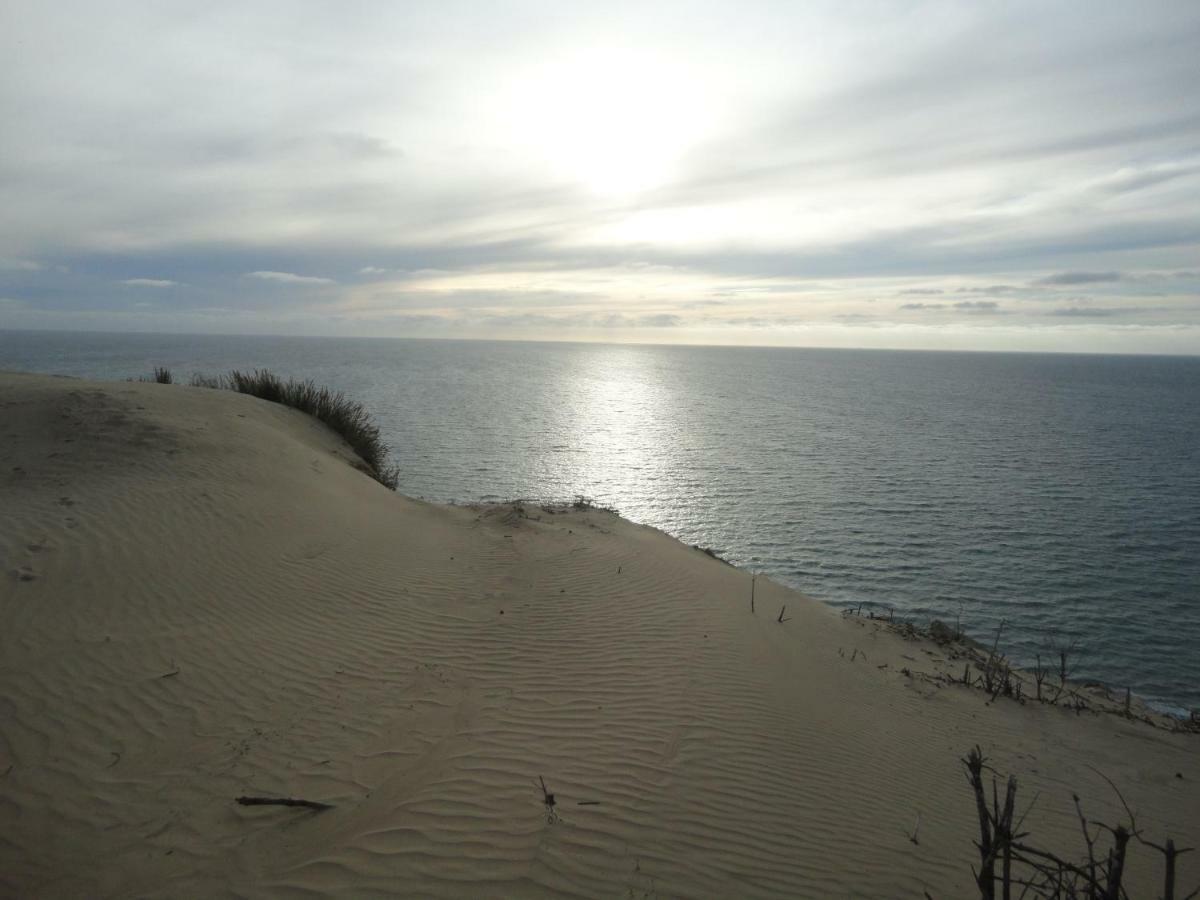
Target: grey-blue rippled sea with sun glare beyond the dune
column 1057, row 494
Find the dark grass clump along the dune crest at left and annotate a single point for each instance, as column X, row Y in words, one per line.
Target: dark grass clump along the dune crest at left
column 334, row 409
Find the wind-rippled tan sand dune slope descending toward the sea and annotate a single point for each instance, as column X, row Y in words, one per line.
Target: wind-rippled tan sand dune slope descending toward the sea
column 202, row 599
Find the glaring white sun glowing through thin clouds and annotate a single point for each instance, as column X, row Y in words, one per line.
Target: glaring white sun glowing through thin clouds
column 613, row 121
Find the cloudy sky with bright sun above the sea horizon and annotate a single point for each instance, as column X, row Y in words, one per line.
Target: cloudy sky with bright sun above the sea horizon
column 947, row 176
